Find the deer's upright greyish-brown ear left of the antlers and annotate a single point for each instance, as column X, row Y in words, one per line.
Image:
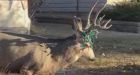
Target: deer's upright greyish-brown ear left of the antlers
column 77, row 26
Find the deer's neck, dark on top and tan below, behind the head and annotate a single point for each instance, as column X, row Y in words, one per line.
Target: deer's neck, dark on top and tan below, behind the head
column 66, row 52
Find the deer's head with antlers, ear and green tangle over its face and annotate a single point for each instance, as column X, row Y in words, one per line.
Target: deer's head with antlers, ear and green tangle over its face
column 85, row 36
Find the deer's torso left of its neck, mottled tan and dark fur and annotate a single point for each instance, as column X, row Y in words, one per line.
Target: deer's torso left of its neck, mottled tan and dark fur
column 15, row 52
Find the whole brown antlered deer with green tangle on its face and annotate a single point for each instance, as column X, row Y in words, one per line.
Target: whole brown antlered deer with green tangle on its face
column 36, row 57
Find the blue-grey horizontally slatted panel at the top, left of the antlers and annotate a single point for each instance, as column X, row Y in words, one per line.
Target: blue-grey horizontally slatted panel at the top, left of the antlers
column 69, row 5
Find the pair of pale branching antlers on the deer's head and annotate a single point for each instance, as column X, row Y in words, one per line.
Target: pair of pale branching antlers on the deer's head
column 97, row 22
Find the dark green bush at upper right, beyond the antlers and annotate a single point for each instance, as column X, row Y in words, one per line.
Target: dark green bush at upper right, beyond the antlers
column 126, row 11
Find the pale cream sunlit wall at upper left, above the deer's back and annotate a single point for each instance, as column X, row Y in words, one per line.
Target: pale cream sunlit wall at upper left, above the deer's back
column 14, row 16
